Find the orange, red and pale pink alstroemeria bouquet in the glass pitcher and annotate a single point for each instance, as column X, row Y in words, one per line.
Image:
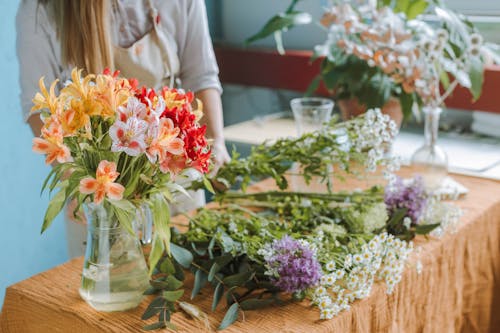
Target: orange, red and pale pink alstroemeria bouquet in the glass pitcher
column 118, row 145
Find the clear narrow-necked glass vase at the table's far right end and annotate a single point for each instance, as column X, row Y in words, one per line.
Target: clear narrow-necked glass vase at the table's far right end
column 430, row 160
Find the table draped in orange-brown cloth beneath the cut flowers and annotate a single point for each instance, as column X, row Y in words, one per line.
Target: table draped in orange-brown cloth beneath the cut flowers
column 457, row 291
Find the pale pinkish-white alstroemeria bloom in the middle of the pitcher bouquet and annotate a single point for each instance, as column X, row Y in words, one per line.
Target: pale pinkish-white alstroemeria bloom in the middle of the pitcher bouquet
column 129, row 136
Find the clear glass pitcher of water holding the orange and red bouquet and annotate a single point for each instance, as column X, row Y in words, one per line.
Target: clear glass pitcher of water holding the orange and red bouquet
column 115, row 274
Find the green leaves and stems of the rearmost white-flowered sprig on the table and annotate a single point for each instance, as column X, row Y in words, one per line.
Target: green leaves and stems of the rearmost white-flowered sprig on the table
column 314, row 152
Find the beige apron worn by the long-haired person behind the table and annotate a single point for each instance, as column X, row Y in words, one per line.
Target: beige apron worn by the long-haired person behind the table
column 153, row 61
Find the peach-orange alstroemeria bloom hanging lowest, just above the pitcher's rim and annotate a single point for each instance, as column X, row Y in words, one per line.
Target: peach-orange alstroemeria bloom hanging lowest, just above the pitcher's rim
column 103, row 184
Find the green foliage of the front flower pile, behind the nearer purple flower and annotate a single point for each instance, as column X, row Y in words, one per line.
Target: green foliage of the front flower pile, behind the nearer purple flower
column 221, row 246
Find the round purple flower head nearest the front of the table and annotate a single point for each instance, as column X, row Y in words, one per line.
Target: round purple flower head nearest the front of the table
column 293, row 265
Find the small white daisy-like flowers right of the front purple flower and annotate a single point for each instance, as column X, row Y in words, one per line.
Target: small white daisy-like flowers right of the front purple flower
column 382, row 258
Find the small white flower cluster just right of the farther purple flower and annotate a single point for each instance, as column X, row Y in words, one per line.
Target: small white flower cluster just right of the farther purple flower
column 446, row 214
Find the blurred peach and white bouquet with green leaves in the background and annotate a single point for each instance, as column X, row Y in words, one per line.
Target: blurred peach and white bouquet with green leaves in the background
column 376, row 51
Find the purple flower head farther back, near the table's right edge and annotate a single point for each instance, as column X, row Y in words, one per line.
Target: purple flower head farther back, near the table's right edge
column 406, row 195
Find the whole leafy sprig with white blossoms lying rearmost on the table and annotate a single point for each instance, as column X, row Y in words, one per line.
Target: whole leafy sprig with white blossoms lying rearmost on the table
column 360, row 141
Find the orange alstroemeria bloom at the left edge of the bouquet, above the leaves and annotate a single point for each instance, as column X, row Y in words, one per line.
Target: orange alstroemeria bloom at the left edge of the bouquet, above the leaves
column 51, row 144
